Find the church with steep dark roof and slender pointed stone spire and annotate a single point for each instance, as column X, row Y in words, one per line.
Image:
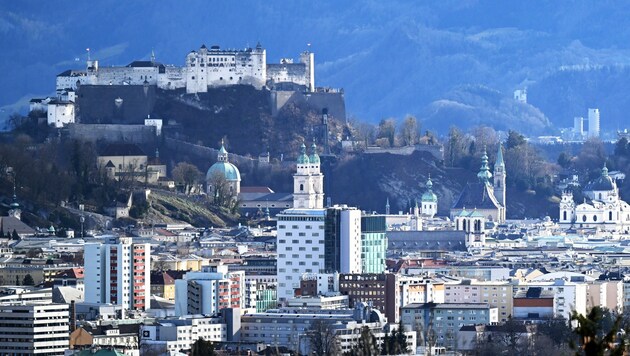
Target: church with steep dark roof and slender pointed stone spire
column 486, row 197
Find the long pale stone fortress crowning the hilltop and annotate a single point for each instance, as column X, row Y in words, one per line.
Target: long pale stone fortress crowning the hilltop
column 205, row 68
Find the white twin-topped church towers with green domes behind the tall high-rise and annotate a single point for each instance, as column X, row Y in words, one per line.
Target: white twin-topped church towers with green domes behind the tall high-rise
column 308, row 181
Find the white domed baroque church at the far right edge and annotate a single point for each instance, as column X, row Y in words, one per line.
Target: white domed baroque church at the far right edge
column 602, row 207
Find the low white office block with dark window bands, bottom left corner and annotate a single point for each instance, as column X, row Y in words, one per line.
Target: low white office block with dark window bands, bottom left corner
column 34, row 328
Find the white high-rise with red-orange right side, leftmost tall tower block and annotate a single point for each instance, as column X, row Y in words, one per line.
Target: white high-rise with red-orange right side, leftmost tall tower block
column 118, row 272
